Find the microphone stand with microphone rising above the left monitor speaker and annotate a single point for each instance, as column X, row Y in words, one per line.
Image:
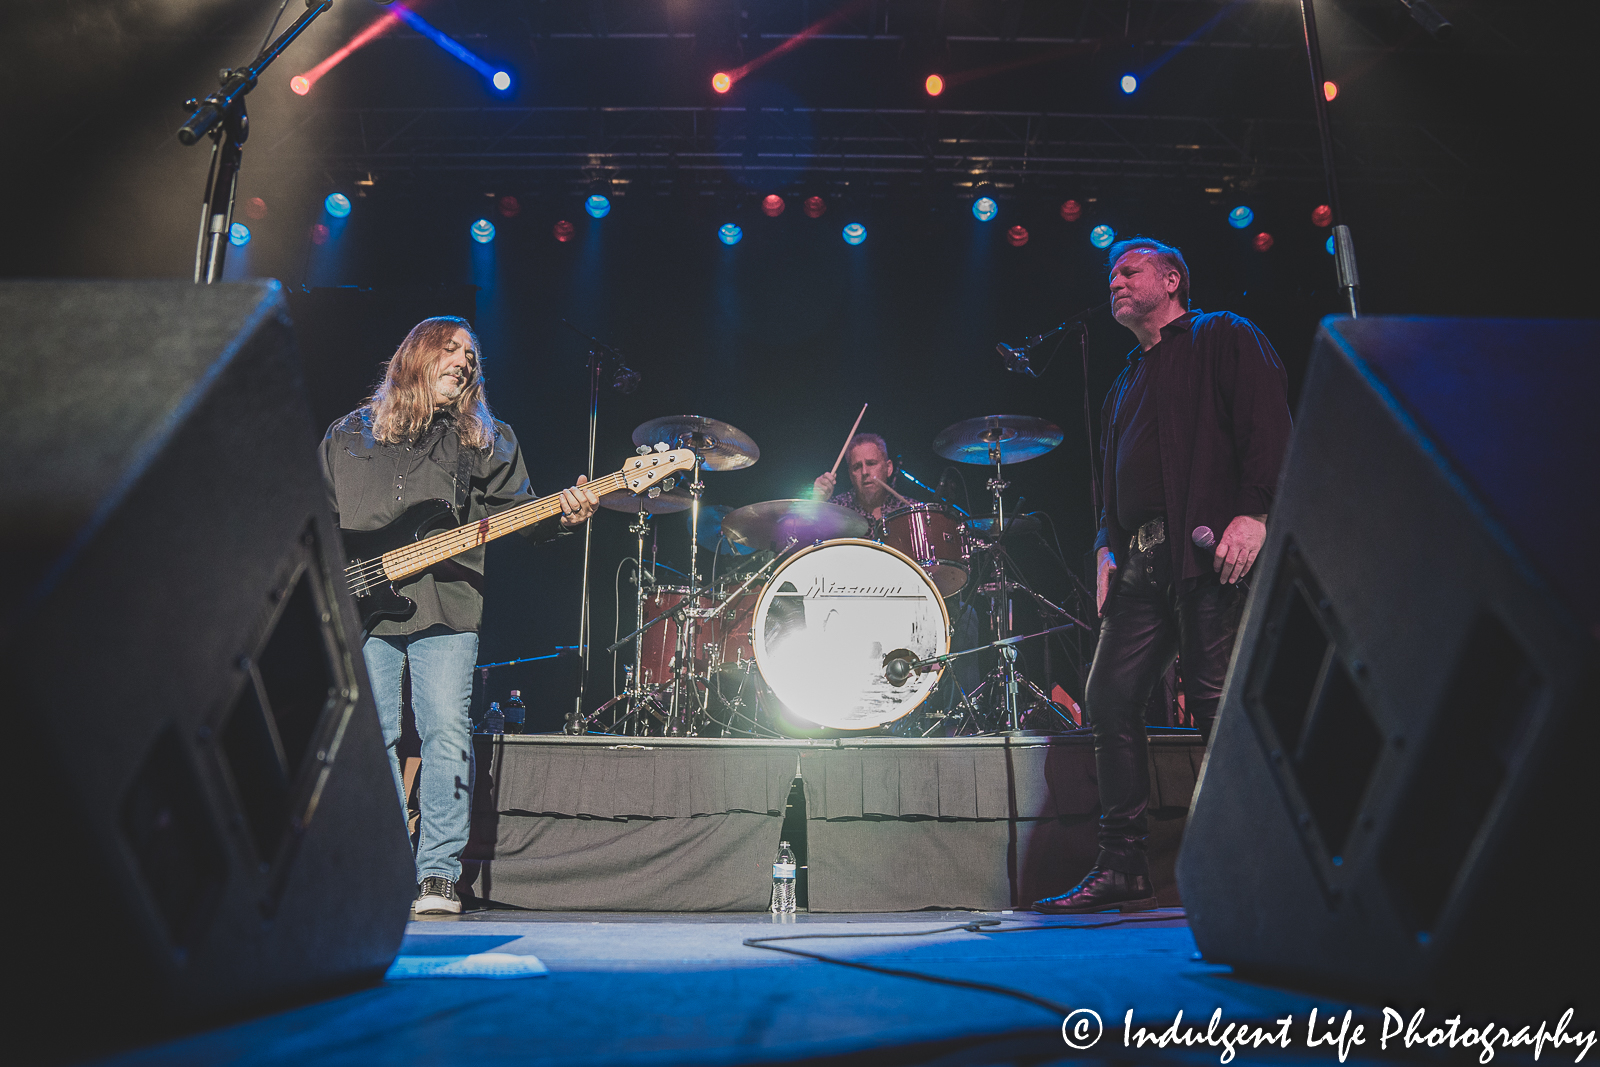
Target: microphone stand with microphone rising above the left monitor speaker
column 223, row 116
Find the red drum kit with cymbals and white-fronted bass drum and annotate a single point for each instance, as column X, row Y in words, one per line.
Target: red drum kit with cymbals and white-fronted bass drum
column 846, row 623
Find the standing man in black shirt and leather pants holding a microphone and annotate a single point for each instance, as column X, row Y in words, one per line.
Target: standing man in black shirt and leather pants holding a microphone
column 1193, row 438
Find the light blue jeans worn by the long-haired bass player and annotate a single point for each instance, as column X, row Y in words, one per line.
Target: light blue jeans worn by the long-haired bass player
column 441, row 703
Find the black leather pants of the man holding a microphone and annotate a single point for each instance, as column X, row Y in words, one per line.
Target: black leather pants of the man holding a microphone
column 1148, row 623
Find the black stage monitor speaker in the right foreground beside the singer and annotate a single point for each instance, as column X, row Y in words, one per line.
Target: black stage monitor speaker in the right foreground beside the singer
column 1396, row 801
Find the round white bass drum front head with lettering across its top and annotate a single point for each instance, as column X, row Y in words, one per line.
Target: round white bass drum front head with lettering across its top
column 825, row 623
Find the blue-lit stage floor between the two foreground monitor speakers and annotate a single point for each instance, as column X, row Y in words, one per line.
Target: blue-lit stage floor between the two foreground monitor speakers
column 684, row 989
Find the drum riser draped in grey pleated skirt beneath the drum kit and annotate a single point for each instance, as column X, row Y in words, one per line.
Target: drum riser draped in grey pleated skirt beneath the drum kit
column 881, row 825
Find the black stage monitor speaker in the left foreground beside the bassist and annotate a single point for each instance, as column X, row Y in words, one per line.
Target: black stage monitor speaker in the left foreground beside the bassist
column 204, row 817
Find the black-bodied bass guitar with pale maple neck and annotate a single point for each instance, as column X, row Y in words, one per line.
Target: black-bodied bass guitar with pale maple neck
column 428, row 535
